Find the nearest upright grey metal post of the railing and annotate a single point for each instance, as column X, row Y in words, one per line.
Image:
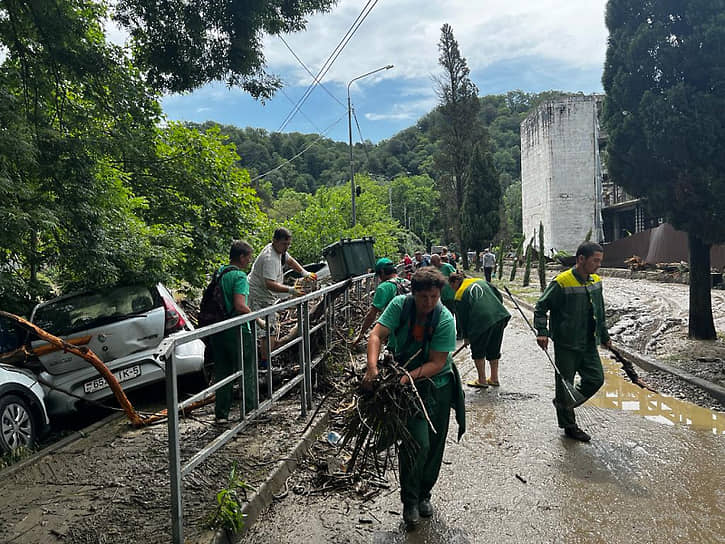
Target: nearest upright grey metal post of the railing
column 172, row 402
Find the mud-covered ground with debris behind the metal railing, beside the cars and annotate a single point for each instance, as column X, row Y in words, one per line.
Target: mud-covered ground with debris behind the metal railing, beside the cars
column 112, row 486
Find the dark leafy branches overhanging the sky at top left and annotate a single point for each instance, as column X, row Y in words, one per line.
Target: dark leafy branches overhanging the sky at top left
column 182, row 45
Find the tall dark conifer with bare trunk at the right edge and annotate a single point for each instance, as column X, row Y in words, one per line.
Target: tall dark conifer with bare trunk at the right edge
column 665, row 114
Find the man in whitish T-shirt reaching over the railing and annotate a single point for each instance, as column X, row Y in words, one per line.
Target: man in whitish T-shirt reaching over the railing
column 266, row 280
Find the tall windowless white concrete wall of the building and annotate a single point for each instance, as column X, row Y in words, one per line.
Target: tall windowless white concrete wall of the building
column 558, row 172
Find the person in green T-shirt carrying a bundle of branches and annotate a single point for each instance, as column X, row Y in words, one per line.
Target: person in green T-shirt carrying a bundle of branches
column 411, row 323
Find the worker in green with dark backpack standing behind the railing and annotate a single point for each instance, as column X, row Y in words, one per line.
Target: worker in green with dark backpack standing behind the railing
column 225, row 345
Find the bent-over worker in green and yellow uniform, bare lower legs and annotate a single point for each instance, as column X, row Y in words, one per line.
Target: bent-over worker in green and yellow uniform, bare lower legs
column 482, row 318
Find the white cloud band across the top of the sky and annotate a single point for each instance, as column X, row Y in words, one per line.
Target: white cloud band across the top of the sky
column 406, row 33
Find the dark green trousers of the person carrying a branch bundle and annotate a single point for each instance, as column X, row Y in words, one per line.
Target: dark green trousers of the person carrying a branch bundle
column 419, row 467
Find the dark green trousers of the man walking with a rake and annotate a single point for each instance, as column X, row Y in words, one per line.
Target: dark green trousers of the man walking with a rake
column 587, row 364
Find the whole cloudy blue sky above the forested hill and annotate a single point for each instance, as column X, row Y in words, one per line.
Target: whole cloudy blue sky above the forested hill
column 514, row 44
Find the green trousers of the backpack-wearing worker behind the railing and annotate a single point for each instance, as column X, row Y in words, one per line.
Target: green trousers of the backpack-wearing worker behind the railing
column 225, row 351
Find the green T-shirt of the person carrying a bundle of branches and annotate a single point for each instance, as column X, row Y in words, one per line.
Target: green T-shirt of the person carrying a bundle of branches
column 443, row 339
